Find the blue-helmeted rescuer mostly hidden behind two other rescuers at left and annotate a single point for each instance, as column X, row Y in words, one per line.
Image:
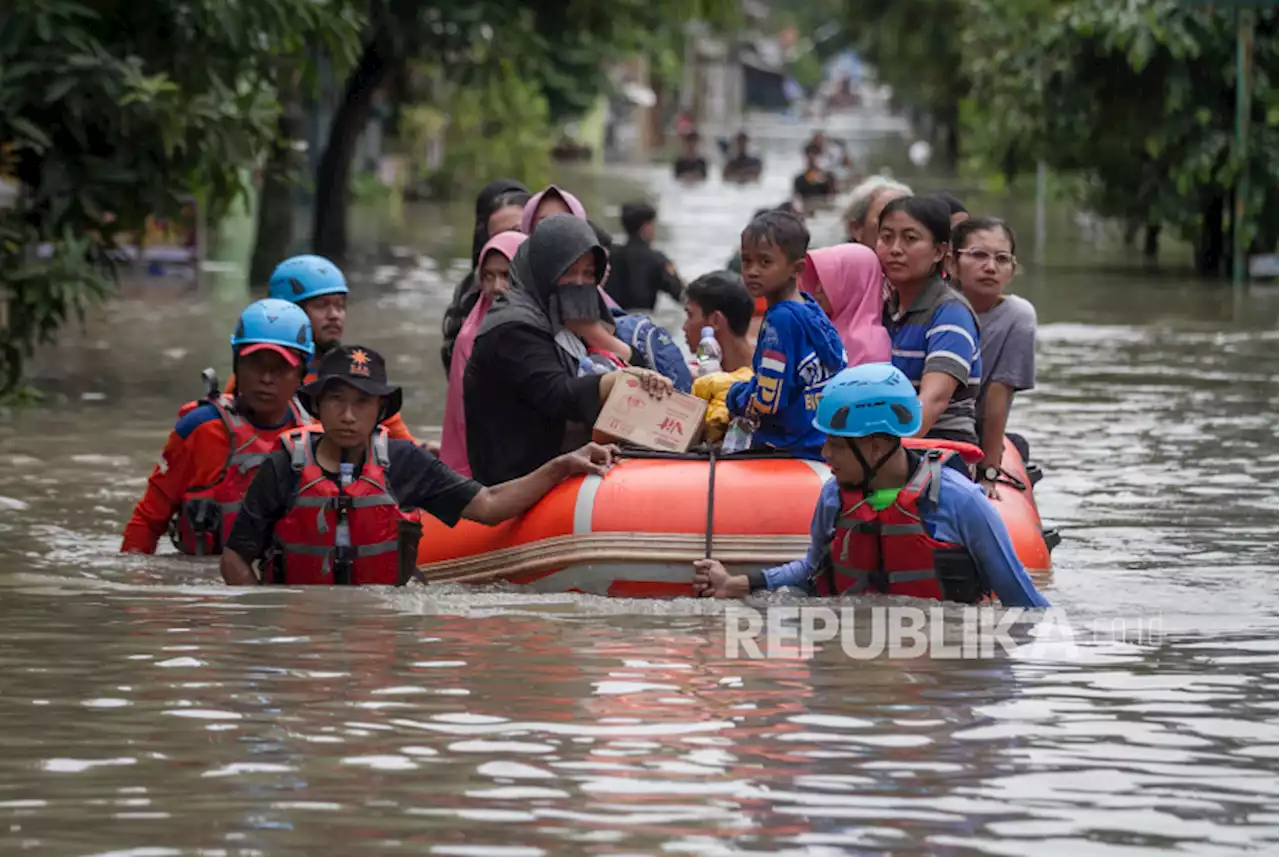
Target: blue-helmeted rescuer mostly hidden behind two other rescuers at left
column 319, row 287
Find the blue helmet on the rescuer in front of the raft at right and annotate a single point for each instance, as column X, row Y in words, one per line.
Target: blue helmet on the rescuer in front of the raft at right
column 870, row 400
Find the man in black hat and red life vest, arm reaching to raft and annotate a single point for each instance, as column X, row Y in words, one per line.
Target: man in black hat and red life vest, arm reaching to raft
column 327, row 507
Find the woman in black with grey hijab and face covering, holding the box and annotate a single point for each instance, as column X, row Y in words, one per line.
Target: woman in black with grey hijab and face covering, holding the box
column 523, row 388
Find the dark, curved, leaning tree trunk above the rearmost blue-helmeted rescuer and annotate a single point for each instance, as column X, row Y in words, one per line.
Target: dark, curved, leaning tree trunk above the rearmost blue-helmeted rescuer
column 333, row 176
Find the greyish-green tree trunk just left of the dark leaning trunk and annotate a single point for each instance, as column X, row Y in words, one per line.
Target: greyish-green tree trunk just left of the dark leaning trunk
column 276, row 199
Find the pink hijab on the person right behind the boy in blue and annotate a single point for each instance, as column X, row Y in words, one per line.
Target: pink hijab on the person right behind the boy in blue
column 853, row 281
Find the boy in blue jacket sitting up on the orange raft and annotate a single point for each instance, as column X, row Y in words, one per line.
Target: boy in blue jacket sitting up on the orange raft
column 798, row 350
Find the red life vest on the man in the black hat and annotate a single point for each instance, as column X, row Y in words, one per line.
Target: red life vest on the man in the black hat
column 383, row 539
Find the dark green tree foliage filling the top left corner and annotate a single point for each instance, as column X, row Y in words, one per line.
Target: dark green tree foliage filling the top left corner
column 115, row 111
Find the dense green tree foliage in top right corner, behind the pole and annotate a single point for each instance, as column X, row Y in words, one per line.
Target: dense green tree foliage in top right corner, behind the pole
column 1133, row 102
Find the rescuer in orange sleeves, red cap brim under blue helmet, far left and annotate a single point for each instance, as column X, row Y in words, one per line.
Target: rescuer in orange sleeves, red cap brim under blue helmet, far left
column 220, row 442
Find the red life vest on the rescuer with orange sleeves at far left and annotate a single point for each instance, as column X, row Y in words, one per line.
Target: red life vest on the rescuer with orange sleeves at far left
column 207, row 512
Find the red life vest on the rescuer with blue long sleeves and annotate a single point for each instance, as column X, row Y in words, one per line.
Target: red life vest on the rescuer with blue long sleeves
column 892, row 552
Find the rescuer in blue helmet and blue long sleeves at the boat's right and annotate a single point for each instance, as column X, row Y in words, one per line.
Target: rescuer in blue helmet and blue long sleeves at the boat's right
column 892, row 520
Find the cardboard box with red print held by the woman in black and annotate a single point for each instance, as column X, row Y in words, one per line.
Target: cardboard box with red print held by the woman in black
column 670, row 425
